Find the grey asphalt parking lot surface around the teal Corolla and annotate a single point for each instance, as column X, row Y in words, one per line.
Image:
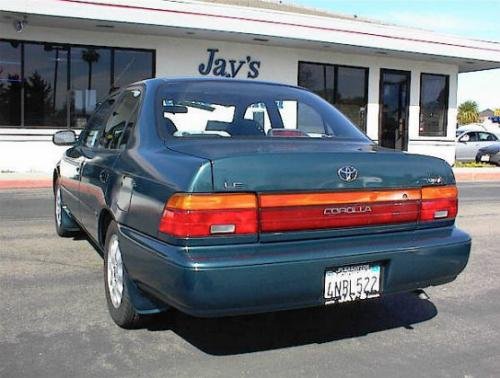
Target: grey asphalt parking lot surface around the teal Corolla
column 54, row 321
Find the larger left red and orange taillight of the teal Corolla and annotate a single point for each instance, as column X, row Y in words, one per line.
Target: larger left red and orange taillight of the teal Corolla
column 201, row 215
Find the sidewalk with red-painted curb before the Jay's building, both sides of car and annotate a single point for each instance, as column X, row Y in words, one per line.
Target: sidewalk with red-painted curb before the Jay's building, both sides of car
column 43, row 180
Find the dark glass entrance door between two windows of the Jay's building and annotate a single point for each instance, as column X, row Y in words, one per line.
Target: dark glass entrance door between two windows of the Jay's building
column 394, row 102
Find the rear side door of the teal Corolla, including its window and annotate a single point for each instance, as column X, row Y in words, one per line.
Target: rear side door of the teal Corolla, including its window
column 97, row 173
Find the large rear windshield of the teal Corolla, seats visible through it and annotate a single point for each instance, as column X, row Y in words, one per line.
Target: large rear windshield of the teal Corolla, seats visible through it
column 232, row 109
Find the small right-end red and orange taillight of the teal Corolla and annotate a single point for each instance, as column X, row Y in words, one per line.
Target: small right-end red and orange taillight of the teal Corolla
column 439, row 202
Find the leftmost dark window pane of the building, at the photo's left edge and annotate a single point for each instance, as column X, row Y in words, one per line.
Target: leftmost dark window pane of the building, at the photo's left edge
column 10, row 83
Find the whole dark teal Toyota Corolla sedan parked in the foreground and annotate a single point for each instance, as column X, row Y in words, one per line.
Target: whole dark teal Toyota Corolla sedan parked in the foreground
column 225, row 197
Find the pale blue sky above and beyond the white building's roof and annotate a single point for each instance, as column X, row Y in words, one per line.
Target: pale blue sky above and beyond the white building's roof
column 472, row 19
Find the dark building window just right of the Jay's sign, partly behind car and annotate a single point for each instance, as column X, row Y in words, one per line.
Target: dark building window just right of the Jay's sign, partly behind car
column 344, row 87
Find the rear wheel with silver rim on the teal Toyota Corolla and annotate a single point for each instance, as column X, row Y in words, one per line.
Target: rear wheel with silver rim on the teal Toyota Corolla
column 117, row 297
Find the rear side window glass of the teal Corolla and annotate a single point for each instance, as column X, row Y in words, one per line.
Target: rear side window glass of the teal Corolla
column 118, row 126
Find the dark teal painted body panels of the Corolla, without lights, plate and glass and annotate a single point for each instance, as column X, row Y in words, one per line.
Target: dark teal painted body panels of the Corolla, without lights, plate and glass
column 230, row 275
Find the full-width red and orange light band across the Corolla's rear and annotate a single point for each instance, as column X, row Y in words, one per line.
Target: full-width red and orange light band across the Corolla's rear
column 202, row 215
